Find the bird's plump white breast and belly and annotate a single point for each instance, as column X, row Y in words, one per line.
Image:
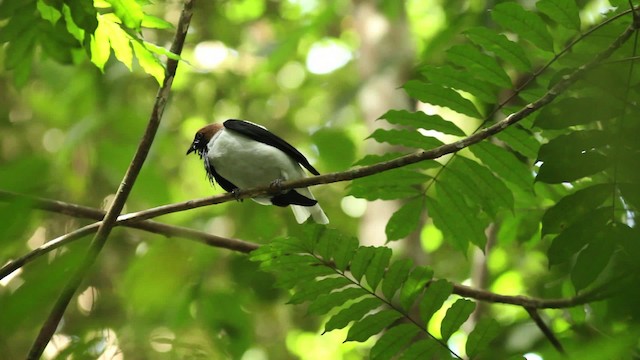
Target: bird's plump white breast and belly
column 248, row 163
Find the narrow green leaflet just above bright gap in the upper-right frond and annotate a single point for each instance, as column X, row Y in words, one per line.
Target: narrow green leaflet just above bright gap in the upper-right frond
column 441, row 96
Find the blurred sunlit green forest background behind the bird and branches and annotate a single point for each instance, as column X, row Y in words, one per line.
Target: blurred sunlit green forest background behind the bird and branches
column 318, row 73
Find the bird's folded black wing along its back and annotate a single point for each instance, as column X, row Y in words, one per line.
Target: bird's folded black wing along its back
column 264, row 136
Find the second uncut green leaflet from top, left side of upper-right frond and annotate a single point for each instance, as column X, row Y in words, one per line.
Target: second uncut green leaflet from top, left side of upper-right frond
column 504, row 49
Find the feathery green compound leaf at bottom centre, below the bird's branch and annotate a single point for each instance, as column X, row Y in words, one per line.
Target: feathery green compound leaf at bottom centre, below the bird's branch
column 372, row 312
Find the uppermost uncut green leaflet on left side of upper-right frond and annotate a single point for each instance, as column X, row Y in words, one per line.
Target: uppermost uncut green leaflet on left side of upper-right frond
column 528, row 25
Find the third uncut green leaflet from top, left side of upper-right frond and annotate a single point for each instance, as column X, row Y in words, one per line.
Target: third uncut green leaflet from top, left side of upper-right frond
column 481, row 65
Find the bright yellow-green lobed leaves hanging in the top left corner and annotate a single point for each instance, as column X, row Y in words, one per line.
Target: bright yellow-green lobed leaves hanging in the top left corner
column 64, row 28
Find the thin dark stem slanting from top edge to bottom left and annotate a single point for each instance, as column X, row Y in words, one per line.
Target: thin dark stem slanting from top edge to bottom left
column 51, row 323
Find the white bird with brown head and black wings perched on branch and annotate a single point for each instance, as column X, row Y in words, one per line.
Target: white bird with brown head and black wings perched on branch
column 239, row 154
